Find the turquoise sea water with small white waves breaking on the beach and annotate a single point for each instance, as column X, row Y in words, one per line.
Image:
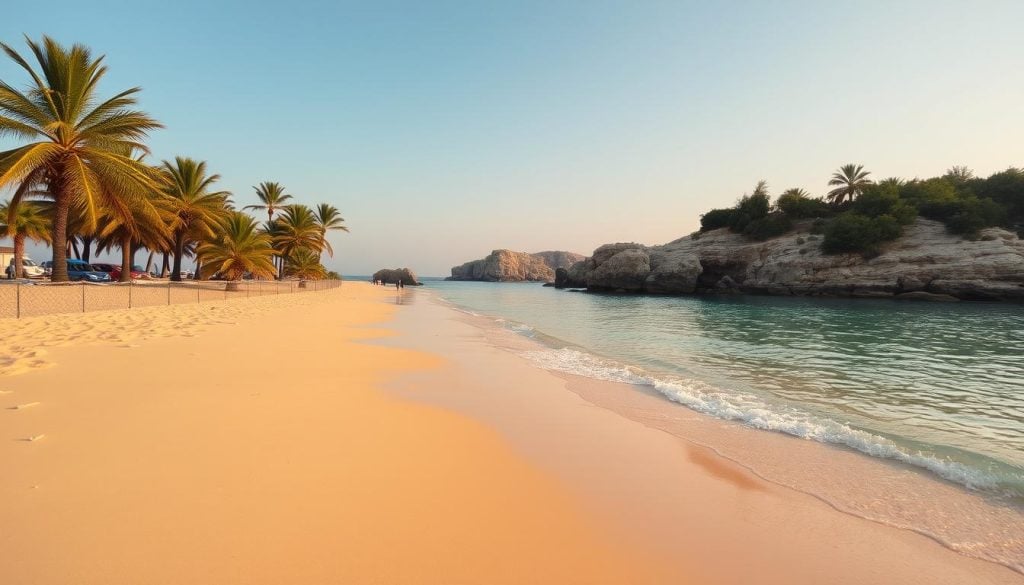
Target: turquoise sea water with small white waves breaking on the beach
column 936, row 387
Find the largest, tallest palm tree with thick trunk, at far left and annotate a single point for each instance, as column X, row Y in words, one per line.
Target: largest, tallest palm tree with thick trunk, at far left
column 78, row 147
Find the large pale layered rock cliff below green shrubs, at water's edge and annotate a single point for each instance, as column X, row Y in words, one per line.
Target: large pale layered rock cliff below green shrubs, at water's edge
column 927, row 263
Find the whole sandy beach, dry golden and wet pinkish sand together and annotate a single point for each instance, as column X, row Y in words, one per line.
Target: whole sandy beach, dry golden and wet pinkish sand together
column 362, row 436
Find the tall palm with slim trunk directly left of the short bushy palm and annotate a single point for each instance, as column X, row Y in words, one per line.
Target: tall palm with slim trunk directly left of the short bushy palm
column 195, row 211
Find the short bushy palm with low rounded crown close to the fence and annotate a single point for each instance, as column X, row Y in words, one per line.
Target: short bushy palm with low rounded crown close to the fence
column 238, row 249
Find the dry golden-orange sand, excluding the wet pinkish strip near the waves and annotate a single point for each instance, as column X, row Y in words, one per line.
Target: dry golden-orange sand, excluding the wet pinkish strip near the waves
column 260, row 450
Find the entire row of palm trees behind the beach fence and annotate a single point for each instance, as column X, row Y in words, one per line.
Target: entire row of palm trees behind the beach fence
column 80, row 175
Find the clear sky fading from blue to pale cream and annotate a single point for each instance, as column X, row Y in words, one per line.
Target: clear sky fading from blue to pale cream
column 446, row 130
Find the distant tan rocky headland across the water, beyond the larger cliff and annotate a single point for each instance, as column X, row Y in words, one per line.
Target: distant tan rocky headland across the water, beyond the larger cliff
column 506, row 266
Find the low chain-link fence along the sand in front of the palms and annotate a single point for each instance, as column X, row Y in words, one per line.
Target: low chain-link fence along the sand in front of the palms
column 27, row 299
